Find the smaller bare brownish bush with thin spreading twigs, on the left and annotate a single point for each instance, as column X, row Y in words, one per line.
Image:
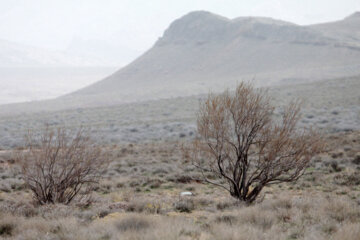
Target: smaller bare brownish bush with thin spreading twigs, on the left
column 59, row 165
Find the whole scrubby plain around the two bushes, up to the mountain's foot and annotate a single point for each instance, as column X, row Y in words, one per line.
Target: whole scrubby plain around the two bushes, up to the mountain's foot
column 139, row 196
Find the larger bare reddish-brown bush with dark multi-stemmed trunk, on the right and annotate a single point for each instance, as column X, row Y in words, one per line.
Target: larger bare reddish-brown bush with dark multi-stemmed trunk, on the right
column 240, row 142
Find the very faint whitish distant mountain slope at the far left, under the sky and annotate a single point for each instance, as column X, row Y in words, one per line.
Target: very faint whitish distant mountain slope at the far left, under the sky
column 18, row 55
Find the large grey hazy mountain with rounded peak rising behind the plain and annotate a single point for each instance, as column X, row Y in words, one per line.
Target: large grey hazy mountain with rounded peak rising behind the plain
column 203, row 51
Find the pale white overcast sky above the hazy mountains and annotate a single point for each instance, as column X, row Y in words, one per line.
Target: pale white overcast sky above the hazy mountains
column 136, row 24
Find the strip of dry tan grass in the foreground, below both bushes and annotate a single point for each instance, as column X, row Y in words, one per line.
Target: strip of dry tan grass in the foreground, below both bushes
column 316, row 217
